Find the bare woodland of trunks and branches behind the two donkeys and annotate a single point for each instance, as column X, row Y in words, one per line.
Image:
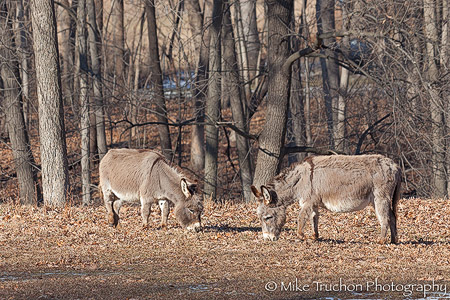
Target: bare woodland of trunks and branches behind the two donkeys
column 231, row 91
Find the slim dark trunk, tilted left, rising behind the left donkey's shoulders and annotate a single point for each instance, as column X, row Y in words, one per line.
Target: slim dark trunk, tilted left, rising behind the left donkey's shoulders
column 156, row 80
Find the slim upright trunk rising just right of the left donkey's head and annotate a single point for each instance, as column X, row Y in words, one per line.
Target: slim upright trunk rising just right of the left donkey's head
column 213, row 102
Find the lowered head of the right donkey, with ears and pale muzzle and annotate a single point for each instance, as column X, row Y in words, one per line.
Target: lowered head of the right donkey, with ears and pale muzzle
column 271, row 214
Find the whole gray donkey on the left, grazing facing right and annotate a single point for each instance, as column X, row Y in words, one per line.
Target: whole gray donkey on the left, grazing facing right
column 145, row 176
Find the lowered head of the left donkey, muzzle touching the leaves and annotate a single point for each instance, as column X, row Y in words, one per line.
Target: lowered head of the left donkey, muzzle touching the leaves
column 189, row 210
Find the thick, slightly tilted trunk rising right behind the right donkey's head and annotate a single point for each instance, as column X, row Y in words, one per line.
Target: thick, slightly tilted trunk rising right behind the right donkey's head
column 272, row 137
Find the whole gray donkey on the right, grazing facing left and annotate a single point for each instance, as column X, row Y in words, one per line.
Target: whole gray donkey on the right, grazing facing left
column 338, row 183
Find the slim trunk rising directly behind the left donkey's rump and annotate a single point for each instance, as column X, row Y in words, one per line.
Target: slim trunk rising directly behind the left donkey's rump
column 95, row 54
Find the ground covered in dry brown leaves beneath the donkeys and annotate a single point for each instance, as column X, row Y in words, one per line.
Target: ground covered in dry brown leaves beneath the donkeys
column 71, row 253
